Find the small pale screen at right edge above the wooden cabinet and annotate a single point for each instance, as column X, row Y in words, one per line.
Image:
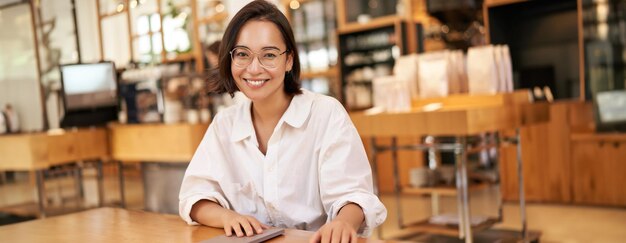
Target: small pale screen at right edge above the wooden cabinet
column 611, row 111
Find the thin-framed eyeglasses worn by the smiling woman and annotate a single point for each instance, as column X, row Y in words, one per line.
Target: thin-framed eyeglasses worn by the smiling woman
column 268, row 58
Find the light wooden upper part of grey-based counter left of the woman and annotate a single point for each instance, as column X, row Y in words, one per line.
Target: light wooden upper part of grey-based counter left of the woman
column 155, row 142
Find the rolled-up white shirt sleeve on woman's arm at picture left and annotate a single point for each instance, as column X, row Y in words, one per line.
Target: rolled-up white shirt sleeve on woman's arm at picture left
column 200, row 182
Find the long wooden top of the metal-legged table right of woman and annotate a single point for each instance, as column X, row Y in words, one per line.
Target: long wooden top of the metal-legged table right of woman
column 455, row 121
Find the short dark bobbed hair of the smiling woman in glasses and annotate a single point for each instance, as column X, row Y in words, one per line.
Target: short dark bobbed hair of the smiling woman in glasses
column 255, row 10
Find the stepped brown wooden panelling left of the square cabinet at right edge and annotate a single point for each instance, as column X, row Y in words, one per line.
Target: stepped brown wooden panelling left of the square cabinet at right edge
column 546, row 155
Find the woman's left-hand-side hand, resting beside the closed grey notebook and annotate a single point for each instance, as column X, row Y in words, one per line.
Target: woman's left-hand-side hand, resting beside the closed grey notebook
column 241, row 225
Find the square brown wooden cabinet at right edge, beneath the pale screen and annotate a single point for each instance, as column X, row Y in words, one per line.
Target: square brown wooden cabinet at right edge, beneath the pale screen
column 598, row 169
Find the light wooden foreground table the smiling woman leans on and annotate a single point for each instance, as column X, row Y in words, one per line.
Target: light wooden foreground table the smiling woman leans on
column 120, row 225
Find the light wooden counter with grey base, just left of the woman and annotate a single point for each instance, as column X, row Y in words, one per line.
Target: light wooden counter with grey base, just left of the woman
column 164, row 151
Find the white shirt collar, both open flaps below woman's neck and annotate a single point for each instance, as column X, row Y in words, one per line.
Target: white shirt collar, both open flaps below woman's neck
column 295, row 115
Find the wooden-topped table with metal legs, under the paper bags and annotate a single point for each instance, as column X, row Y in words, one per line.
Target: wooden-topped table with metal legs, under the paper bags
column 457, row 116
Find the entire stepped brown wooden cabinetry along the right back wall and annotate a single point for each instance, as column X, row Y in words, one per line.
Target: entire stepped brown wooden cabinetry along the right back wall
column 566, row 162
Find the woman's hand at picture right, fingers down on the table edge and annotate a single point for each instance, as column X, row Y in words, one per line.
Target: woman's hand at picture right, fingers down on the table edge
column 336, row 231
